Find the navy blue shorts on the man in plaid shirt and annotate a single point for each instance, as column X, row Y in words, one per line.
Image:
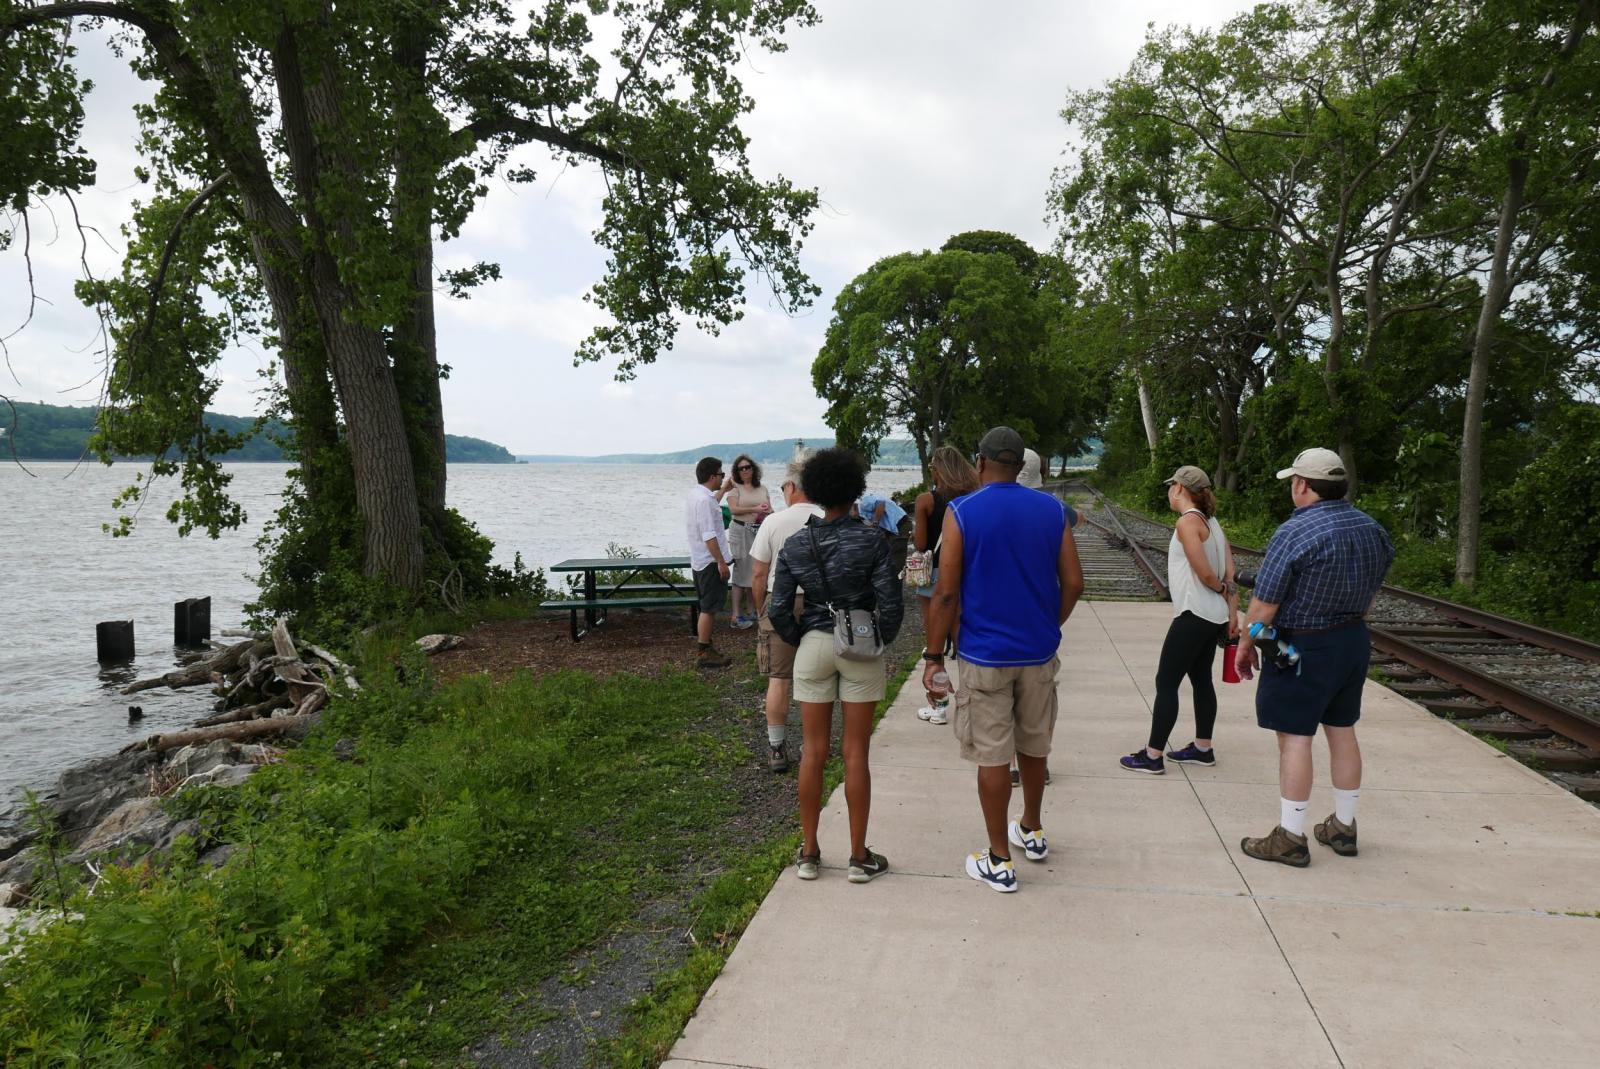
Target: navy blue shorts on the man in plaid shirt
column 1327, row 691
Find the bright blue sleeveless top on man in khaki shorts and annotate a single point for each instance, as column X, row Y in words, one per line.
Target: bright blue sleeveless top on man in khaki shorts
column 1010, row 587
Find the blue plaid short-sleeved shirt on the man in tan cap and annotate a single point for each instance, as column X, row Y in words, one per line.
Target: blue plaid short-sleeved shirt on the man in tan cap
column 1324, row 566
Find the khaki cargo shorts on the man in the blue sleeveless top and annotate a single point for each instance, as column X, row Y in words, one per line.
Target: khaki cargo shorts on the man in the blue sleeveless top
column 1002, row 713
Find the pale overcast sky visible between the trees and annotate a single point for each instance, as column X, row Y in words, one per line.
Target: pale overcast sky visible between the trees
column 914, row 119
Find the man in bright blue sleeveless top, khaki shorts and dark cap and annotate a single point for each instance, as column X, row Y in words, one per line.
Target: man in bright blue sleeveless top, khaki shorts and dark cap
column 1010, row 572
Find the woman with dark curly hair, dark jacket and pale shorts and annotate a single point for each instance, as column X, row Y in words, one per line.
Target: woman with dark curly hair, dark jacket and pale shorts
column 842, row 564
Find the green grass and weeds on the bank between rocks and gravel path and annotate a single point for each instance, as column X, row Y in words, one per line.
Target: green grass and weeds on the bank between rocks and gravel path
column 340, row 863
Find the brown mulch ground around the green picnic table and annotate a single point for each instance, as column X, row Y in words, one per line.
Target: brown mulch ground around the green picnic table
column 630, row 641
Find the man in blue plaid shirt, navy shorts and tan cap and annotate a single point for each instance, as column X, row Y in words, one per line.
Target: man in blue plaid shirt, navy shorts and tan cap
column 1321, row 575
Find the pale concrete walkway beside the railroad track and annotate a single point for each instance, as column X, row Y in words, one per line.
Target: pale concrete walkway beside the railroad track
column 1148, row 937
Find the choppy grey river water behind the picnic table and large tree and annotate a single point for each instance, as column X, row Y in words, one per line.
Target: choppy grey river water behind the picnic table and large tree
column 62, row 574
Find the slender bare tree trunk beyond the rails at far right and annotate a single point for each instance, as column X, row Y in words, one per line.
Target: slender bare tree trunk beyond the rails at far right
column 1495, row 294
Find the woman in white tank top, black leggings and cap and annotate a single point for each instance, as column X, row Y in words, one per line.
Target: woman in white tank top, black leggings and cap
column 1206, row 609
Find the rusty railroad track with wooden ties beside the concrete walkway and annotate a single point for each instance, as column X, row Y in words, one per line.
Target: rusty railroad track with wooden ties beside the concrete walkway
column 1534, row 691
